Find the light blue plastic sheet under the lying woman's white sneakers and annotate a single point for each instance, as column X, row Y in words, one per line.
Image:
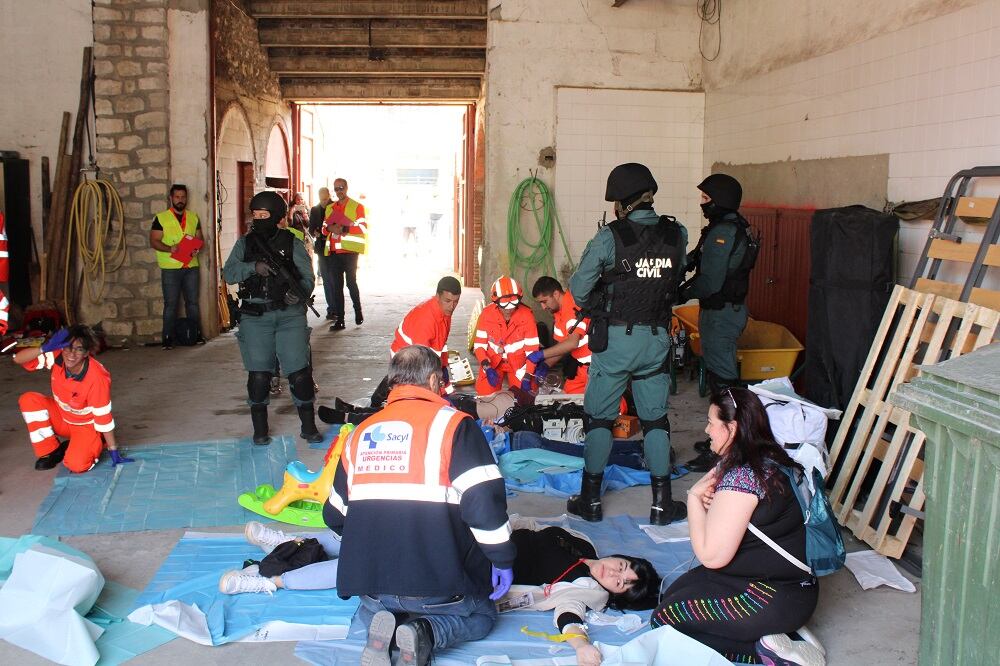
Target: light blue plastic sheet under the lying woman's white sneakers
column 190, row 575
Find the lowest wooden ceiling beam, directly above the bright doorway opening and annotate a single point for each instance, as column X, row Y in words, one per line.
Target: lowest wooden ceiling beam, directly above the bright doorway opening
column 381, row 89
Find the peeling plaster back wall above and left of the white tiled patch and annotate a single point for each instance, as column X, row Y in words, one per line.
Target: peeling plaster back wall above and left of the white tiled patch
column 533, row 47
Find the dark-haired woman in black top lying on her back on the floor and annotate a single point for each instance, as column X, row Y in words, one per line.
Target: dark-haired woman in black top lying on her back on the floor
column 556, row 569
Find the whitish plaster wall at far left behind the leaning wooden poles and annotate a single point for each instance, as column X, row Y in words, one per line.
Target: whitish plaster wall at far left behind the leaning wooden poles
column 31, row 107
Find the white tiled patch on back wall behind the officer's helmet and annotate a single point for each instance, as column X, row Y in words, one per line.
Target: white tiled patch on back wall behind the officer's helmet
column 597, row 130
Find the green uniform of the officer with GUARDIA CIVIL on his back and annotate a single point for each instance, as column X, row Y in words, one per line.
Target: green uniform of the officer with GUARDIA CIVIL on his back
column 637, row 357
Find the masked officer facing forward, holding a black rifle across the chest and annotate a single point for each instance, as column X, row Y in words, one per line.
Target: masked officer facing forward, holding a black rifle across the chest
column 267, row 263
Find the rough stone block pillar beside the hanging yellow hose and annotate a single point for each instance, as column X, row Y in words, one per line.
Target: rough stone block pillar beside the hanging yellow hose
column 133, row 152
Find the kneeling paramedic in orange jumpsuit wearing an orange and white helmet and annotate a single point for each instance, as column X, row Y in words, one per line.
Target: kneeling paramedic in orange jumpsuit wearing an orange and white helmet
column 505, row 334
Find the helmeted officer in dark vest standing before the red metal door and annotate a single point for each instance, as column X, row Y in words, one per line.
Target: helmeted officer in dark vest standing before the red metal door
column 722, row 265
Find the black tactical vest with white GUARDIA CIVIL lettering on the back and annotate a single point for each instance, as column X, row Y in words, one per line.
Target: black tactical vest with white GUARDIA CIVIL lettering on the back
column 649, row 262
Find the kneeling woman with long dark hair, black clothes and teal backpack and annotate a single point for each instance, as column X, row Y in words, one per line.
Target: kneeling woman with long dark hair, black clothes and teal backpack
column 745, row 597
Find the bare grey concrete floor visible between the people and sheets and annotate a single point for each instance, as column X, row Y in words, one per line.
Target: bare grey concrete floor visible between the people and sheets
column 204, row 389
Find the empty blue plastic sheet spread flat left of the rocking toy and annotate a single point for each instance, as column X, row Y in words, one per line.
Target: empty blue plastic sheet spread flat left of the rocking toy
column 168, row 486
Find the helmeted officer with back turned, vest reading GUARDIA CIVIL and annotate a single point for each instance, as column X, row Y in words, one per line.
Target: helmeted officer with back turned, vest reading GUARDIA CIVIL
column 627, row 281
